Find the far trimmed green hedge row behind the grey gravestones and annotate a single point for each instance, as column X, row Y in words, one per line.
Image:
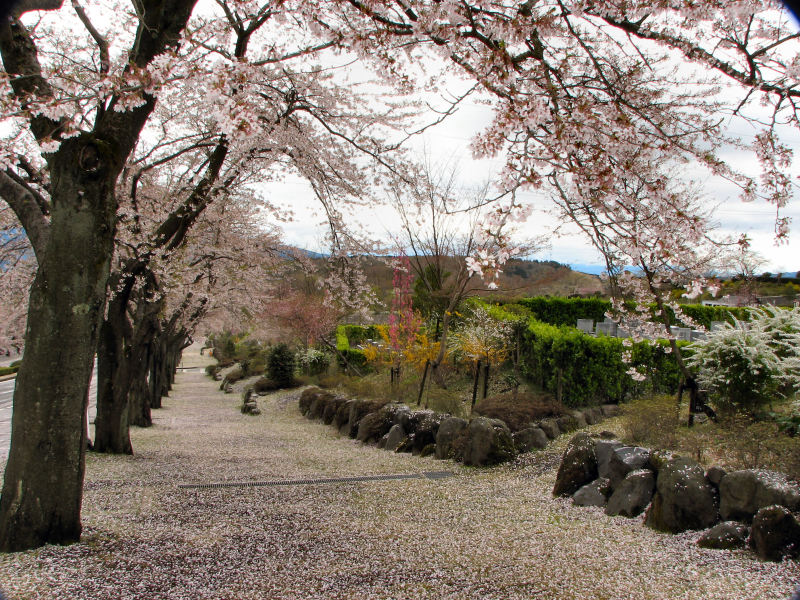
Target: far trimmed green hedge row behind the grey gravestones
column 567, row 311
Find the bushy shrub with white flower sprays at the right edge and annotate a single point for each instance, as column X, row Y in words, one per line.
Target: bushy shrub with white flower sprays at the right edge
column 750, row 364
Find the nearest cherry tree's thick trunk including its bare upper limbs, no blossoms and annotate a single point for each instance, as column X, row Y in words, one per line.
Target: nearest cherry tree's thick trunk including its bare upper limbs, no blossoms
column 42, row 489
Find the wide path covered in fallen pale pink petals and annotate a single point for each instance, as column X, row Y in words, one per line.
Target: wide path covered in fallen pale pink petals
column 493, row 533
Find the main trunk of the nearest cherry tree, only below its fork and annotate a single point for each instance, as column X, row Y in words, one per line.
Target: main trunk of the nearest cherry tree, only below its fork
column 41, row 496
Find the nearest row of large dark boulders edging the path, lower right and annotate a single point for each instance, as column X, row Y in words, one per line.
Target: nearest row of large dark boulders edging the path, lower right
column 676, row 494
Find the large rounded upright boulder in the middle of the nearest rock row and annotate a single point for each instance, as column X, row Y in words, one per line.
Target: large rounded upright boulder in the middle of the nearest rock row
column 684, row 499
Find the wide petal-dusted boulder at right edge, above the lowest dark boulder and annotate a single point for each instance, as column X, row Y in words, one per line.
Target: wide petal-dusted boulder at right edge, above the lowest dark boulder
column 743, row 493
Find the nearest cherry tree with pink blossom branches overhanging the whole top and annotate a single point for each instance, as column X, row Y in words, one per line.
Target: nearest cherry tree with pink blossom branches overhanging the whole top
column 577, row 88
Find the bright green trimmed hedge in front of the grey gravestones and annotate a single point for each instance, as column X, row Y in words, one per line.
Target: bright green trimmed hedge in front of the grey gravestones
column 590, row 370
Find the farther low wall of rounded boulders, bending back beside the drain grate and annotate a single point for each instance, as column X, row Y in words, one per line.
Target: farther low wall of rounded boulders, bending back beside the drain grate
column 478, row 442
